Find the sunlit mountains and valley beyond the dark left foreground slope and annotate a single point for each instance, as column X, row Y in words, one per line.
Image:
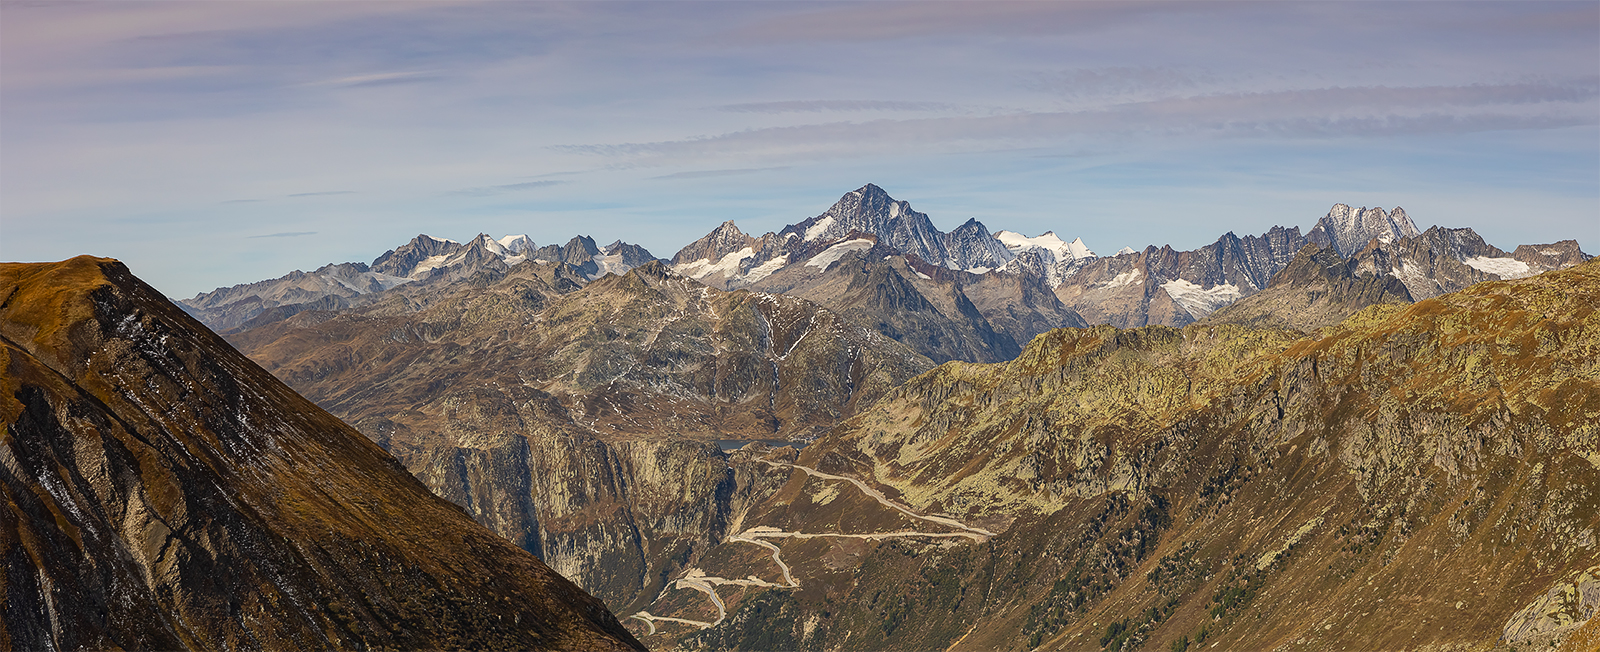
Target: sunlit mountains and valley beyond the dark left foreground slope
column 862, row 432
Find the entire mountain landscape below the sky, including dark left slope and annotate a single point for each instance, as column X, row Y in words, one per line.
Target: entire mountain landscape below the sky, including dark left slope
column 855, row 434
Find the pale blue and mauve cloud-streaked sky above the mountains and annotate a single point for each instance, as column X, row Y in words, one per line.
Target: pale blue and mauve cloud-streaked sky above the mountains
column 220, row 143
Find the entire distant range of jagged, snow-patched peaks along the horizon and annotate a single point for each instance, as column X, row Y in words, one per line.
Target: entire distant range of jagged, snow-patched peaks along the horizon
column 964, row 295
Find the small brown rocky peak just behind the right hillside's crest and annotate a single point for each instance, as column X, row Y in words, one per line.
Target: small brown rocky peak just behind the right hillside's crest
column 1318, row 290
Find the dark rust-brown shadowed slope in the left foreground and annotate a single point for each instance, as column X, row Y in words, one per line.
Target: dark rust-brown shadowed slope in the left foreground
column 166, row 493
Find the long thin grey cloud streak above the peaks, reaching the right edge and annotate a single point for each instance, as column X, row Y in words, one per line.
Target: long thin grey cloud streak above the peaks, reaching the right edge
column 1321, row 113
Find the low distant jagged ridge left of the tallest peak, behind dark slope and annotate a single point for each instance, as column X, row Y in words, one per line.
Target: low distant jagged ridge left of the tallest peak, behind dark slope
column 425, row 260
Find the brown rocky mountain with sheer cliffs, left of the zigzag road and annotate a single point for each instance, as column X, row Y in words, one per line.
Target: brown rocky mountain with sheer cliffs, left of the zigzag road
column 578, row 423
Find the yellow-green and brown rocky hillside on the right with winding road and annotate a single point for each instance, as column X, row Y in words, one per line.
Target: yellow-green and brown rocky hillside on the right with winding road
column 1417, row 477
